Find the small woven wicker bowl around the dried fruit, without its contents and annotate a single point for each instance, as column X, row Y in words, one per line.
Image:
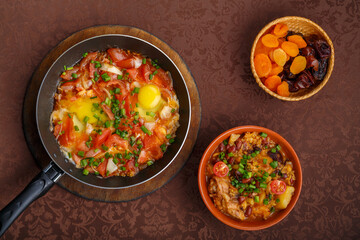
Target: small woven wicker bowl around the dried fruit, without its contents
column 306, row 27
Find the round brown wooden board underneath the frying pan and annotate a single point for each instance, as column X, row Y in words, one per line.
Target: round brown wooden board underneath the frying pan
column 83, row 190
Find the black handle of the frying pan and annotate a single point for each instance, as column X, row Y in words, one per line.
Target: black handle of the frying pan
column 36, row 188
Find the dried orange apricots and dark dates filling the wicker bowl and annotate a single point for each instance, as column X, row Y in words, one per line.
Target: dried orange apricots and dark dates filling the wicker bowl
column 287, row 61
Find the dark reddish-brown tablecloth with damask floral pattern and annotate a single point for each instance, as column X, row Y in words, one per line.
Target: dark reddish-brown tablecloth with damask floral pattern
column 214, row 38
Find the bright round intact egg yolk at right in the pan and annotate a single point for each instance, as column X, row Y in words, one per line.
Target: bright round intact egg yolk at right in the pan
column 149, row 96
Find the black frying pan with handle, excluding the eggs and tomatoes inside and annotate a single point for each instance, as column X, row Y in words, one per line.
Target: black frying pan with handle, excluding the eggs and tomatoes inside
column 60, row 165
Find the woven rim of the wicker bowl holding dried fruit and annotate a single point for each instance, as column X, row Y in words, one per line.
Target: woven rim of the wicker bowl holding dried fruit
column 317, row 88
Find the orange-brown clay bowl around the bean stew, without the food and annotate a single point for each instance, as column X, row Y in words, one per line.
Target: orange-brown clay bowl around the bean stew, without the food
column 253, row 225
